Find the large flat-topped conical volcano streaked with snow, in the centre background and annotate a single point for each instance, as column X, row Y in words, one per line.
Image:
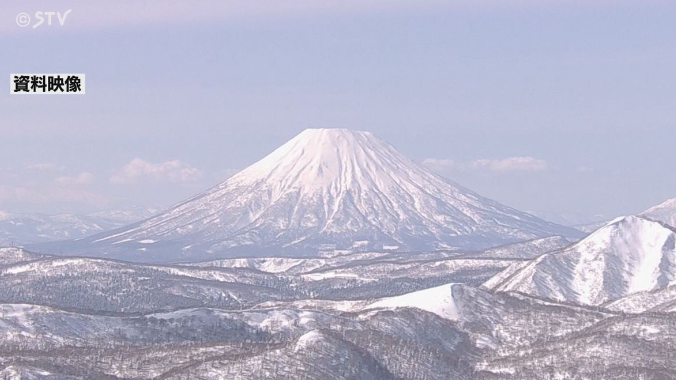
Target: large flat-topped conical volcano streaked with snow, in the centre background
column 325, row 189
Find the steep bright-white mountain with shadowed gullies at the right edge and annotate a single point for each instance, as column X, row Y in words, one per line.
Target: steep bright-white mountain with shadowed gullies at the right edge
column 629, row 255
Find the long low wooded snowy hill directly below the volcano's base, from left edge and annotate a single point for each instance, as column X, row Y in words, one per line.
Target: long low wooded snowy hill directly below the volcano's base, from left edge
column 115, row 286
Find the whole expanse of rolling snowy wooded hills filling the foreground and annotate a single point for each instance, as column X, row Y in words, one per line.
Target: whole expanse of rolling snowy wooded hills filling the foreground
column 85, row 318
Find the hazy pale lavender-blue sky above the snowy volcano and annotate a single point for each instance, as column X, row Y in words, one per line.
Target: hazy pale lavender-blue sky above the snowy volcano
column 557, row 106
